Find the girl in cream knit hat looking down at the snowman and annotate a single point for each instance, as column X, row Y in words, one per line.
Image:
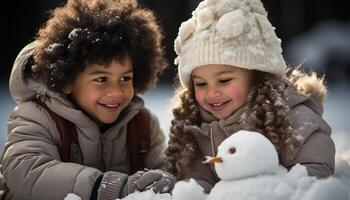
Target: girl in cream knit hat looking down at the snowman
column 233, row 77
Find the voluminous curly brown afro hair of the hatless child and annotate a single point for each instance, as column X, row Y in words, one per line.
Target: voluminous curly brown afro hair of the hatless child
column 98, row 31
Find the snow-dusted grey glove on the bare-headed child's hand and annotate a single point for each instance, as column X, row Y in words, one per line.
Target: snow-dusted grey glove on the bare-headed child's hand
column 158, row 180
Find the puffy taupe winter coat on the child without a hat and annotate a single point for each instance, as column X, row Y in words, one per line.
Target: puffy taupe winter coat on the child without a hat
column 31, row 163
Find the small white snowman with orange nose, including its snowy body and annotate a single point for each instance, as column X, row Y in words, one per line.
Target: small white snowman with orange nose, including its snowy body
column 247, row 163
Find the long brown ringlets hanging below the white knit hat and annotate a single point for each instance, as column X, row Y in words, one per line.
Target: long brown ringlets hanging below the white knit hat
column 267, row 113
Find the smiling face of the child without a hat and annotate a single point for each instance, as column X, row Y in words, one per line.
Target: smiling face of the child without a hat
column 103, row 91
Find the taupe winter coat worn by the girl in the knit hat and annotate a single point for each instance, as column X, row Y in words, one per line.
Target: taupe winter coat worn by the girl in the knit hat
column 317, row 152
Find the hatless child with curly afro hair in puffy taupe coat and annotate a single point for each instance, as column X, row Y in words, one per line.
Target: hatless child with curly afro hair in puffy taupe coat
column 87, row 65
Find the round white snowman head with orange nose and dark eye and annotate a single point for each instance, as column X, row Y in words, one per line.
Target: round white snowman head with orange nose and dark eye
column 245, row 154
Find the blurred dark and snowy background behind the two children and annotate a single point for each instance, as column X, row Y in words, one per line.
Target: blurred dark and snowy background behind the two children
column 315, row 33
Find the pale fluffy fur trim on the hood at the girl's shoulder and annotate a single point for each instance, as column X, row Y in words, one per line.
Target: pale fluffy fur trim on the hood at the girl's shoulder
column 308, row 84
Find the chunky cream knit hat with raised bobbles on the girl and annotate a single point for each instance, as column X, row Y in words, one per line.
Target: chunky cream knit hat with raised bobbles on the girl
column 231, row 32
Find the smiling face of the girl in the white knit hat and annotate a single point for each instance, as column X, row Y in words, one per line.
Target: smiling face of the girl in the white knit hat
column 221, row 89
